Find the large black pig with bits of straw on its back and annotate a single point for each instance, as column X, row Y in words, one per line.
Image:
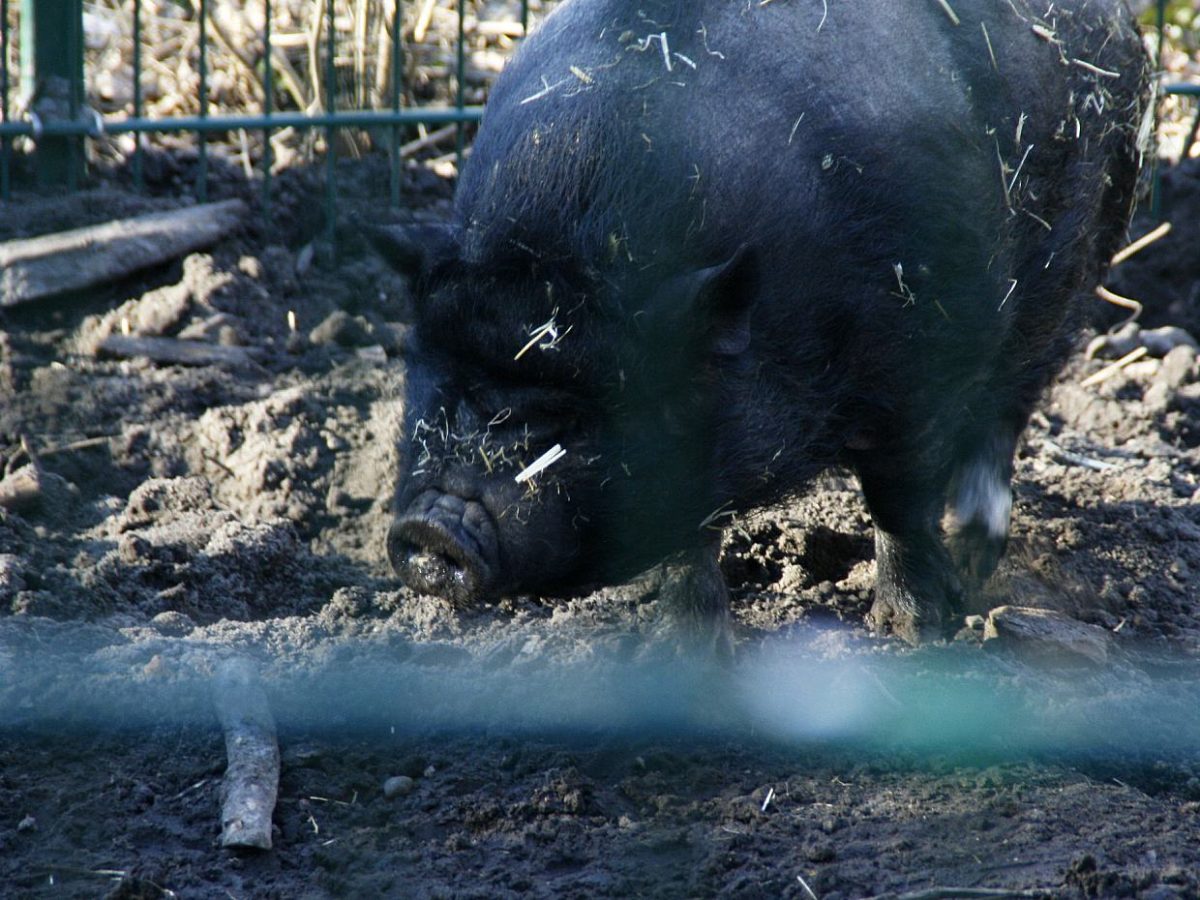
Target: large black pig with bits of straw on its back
column 712, row 248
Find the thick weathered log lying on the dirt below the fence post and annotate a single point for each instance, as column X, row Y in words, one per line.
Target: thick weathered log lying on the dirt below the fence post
column 34, row 268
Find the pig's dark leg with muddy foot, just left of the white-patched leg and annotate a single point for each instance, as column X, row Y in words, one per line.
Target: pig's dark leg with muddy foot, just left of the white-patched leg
column 917, row 592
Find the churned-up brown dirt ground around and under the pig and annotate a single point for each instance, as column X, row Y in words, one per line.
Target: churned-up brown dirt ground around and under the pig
column 185, row 515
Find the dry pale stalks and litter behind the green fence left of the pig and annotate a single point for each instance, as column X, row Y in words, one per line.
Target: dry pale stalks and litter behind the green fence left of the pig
column 237, row 71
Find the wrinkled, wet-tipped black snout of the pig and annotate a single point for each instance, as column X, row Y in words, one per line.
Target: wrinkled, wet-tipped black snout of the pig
column 446, row 547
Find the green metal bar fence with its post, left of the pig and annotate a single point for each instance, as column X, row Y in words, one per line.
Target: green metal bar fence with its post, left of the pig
column 52, row 59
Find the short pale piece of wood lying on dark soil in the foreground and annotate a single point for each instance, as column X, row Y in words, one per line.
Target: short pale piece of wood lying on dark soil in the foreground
column 253, row 776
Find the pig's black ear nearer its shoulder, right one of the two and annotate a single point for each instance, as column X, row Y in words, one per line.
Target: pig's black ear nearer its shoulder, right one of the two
column 721, row 299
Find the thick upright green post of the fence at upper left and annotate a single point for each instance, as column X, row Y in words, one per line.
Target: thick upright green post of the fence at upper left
column 52, row 81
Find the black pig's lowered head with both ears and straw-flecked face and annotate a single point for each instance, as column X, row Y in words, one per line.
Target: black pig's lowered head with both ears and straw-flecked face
column 559, row 425
